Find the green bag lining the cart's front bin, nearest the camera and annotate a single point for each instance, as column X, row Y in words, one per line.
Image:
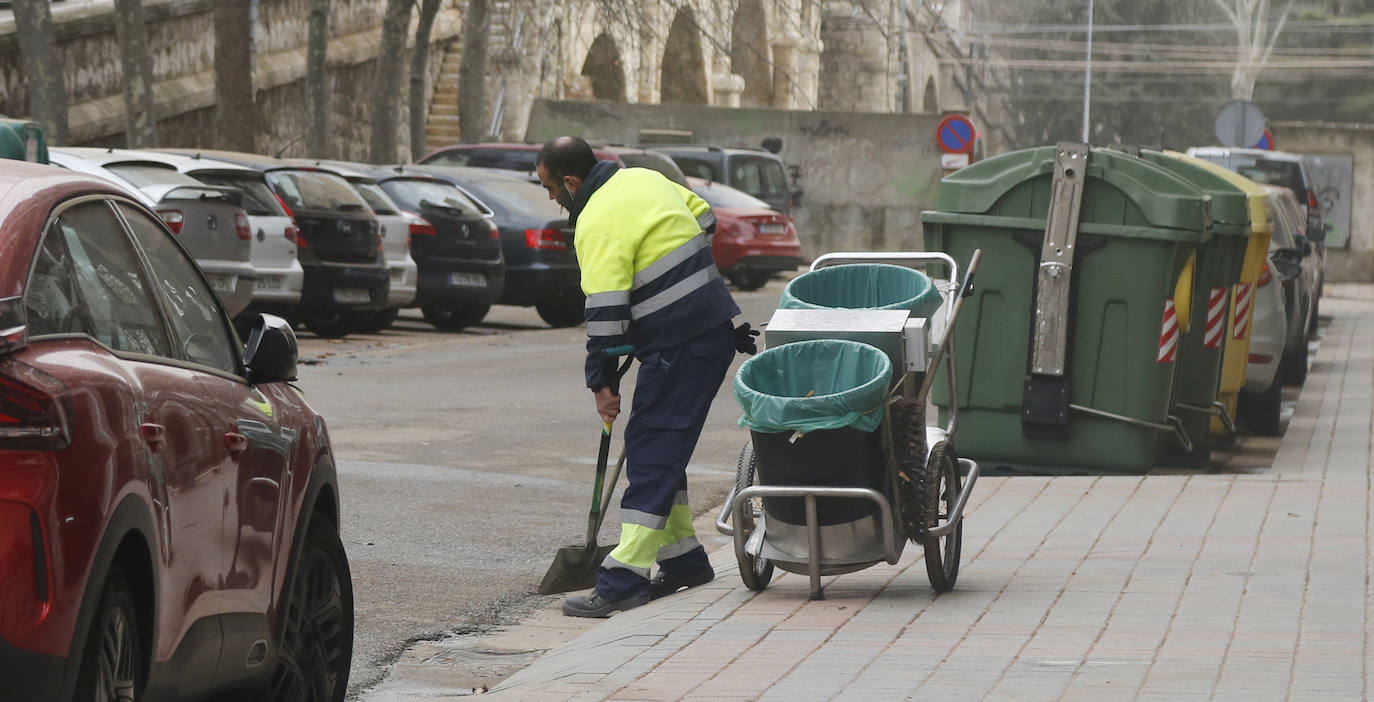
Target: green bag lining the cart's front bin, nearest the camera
column 847, row 384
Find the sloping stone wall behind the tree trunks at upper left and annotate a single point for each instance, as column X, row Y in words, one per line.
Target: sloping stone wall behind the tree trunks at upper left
column 182, row 41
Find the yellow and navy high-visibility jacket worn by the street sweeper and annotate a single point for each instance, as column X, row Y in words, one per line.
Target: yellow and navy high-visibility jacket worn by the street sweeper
column 646, row 266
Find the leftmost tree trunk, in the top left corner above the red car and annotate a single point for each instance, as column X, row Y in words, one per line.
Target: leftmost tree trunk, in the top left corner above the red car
column 42, row 68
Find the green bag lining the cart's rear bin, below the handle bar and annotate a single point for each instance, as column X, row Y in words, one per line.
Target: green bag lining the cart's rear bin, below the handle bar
column 864, row 286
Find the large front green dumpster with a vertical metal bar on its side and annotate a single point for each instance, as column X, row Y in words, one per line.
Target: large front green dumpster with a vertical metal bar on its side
column 1067, row 359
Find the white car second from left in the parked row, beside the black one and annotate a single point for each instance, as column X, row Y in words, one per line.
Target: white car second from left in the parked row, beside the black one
column 275, row 236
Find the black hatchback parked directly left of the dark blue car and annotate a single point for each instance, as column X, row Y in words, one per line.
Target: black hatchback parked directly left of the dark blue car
column 457, row 248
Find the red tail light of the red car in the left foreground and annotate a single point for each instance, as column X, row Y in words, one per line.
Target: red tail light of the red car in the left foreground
column 34, row 409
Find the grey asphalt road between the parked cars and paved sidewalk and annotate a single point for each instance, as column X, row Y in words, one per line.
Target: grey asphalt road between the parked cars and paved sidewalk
column 466, row 461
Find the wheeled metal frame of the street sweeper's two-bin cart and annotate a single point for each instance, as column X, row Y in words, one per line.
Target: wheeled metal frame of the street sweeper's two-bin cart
column 941, row 535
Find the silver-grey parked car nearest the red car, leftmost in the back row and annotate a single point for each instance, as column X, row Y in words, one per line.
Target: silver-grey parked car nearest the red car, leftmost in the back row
column 208, row 219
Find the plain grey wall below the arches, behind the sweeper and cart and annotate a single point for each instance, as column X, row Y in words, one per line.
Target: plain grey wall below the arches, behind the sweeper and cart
column 866, row 177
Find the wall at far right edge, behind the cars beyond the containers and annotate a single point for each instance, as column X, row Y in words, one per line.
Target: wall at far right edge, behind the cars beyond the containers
column 1355, row 263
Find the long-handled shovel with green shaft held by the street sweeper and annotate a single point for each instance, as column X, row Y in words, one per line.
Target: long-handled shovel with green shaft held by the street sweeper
column 575, row 568
